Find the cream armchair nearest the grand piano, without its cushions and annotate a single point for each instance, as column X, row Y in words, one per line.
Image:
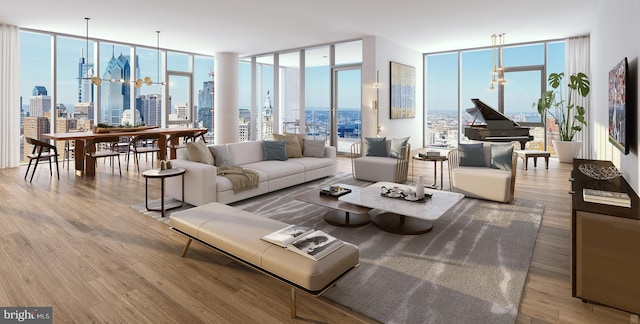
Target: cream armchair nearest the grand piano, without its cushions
column 485, row 181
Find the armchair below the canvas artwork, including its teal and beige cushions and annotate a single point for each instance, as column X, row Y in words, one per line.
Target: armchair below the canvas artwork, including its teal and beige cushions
column 381, row 159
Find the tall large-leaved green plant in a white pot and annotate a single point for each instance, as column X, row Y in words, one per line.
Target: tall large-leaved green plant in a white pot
column 569, row 115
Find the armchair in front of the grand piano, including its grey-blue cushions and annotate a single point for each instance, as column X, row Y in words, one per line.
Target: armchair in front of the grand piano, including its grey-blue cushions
column 484, row 171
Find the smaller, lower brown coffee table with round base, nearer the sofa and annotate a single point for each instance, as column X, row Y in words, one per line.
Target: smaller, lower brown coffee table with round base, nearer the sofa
column 343, row 213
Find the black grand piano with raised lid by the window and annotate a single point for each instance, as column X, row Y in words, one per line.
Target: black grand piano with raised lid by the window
column 496, row 128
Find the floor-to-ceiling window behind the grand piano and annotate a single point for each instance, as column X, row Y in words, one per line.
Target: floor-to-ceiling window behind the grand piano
column 454, row 78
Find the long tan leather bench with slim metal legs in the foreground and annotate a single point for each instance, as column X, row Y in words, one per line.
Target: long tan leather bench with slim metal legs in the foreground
column 236, row 233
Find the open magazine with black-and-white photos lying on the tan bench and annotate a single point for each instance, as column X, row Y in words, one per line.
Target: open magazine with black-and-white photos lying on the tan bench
column 305, row 241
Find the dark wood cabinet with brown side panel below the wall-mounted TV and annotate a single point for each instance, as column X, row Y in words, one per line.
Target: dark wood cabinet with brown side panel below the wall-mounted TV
column 605, row 254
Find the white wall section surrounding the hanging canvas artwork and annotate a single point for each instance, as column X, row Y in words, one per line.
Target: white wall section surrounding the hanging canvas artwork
column 377, row 55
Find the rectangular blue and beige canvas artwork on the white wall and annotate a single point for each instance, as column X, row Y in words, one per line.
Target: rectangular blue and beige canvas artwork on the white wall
column 403, row 91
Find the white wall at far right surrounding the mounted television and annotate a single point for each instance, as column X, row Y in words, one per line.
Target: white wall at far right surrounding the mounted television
column 614, row 36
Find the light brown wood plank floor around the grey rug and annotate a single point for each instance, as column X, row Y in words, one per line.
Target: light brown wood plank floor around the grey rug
column 76, row 245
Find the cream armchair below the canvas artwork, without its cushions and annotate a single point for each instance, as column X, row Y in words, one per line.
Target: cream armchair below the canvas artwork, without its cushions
column 380, row 168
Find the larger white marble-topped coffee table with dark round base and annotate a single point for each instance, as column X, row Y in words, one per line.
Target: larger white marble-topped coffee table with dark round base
column 401, row 216
